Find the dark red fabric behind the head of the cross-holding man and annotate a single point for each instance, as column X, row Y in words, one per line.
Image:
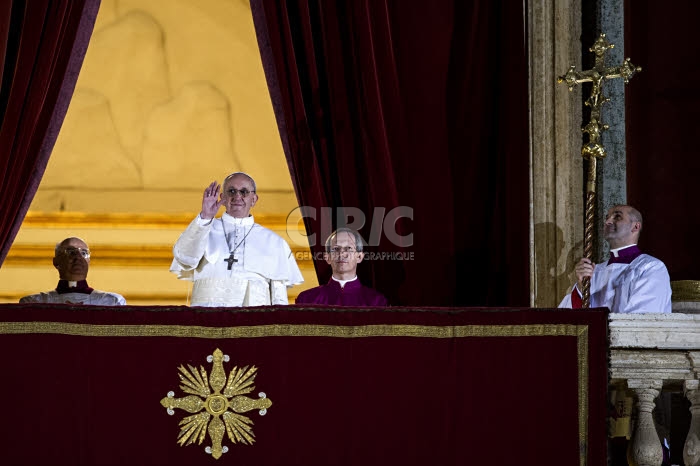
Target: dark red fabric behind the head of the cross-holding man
column 662, row 107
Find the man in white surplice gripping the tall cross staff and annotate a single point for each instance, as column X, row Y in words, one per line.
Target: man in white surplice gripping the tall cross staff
column 630, row 282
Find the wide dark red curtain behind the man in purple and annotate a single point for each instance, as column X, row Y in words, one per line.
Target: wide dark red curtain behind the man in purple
column 413, row 117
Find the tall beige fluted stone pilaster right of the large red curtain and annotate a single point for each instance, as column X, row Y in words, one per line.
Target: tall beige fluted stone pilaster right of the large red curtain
column 556, row 165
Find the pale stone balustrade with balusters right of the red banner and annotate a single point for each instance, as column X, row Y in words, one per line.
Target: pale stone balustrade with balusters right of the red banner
column 651, row 353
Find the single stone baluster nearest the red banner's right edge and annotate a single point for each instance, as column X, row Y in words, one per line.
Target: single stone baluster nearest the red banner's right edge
column 646, row 447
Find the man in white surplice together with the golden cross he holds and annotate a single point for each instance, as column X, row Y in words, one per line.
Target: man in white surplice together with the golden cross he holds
column 630, row 282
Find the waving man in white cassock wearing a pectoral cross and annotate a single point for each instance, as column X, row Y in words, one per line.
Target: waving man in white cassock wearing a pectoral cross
column 232, row 260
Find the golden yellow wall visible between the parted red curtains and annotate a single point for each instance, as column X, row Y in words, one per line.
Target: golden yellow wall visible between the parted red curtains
column 171, row 96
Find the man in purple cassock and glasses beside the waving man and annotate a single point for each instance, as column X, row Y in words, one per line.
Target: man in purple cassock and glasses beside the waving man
column 343, row 253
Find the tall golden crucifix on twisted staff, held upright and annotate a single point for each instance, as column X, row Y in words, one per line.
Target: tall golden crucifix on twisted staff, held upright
column 593, row 149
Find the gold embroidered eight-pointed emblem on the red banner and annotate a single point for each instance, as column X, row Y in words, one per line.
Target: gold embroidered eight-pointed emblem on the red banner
column 218, row 409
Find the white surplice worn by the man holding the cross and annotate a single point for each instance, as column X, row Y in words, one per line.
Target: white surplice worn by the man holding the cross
column 630, row 282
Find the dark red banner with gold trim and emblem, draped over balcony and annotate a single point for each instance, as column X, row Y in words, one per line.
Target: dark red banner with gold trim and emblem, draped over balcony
column 302, row 386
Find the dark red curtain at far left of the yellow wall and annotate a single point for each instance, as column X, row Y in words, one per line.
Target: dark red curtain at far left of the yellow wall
column 42, row 46
